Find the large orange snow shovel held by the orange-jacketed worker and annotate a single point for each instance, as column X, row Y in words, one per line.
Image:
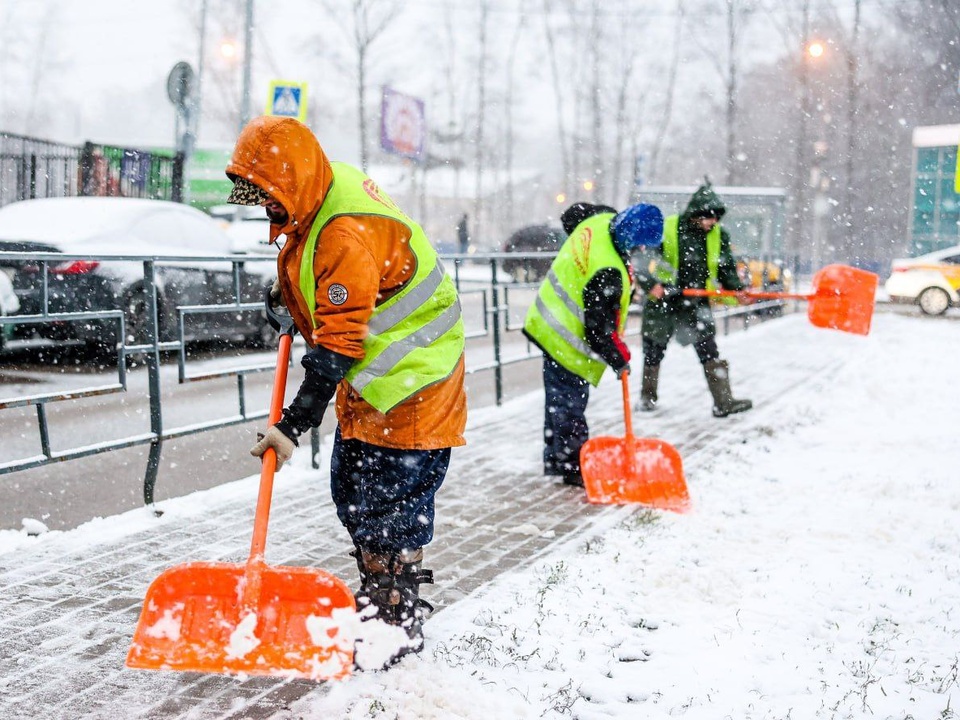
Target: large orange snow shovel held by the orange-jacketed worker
column 248, row 618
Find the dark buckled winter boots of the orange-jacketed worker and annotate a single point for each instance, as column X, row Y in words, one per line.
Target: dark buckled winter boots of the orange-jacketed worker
column 391, row 584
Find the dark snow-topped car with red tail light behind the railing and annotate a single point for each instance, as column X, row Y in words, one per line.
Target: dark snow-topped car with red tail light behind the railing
column 125, row 226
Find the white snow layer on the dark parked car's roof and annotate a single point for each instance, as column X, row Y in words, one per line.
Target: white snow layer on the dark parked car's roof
column 74, row 218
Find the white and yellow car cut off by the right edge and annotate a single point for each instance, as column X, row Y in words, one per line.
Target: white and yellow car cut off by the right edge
column 931, row 281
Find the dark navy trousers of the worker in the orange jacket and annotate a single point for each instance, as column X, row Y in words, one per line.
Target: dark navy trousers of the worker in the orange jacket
column 385, row 496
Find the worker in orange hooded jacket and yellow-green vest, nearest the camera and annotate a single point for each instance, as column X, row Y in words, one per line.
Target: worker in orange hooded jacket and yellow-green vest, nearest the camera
column 382, row 323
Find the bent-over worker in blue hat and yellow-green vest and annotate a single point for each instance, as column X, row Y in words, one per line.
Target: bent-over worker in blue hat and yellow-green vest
column 577, row 321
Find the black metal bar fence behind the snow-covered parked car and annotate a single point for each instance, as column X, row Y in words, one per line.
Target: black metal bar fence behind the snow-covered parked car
column 34, row 168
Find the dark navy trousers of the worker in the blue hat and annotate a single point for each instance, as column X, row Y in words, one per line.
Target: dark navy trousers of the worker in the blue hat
column 564, row 422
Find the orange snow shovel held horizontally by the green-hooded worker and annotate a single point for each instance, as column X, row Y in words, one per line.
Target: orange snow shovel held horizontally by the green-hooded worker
column 843, row 298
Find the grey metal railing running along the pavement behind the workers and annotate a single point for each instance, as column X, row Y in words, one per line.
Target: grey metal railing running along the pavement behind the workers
column 479, row 280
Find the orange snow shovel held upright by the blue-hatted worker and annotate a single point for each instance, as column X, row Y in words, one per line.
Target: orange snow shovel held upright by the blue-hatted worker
column 617, row 471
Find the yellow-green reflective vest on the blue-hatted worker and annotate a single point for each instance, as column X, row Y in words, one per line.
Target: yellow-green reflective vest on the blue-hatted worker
column 556, row 319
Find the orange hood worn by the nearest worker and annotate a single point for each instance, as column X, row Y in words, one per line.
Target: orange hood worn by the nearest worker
column 283, row 157
